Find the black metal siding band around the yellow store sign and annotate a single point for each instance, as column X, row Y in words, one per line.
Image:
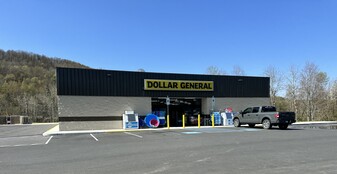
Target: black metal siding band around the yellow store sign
column 90, row 82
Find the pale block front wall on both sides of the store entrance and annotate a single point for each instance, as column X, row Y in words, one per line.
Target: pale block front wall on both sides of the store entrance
column 91, row 106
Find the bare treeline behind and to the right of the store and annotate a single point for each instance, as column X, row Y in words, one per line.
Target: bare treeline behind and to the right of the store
column 307, row 91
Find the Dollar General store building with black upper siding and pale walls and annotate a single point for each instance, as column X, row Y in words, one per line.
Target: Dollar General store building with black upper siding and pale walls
column 96, row 99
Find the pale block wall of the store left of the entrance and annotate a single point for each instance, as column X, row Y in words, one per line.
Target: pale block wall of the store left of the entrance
column 91, row 106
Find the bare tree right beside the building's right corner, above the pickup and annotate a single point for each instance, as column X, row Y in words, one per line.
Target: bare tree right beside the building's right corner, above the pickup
column 276, row 82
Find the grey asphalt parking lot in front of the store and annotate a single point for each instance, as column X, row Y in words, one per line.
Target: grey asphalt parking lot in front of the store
column 191, row 150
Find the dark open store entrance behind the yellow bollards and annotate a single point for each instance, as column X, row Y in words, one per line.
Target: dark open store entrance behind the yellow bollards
column 178, row 107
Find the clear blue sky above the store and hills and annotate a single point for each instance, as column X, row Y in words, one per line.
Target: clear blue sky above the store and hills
column 179, row 36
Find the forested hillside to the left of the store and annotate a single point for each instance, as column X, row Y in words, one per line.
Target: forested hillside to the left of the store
column 28, row 84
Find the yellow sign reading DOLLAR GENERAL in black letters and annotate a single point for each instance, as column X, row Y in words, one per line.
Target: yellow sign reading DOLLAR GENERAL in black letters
column 178, row 85
